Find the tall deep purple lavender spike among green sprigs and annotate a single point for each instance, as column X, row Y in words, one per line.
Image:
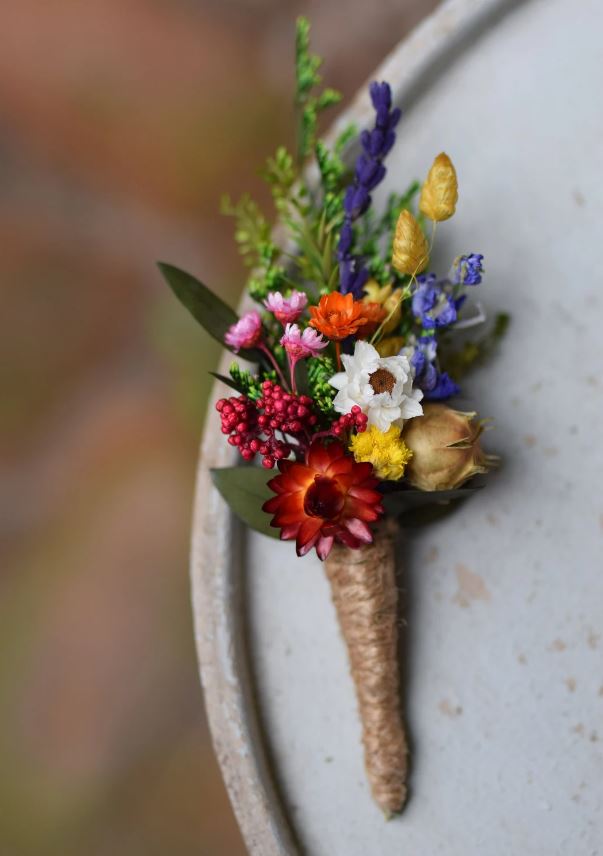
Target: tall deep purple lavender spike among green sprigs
column 368, row 173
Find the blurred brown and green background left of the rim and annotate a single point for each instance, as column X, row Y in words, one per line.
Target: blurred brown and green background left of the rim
column 121, row 124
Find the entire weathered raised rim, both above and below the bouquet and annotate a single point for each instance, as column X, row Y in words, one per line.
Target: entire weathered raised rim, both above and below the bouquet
column 215, row 568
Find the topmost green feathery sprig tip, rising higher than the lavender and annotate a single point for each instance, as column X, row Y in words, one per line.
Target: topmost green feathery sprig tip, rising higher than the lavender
column 307, row 76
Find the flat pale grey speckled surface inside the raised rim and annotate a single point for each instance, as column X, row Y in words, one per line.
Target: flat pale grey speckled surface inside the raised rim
column 505, row 599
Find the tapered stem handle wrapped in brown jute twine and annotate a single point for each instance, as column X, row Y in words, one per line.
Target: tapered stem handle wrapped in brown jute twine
column 363, row 587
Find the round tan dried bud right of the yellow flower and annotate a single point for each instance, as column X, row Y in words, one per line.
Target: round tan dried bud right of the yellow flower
column 446, row 448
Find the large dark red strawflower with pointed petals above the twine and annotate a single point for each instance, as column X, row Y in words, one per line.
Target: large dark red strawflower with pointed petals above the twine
column 329, row 498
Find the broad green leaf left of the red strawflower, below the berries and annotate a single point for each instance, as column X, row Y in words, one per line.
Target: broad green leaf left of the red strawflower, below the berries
column 245, row 489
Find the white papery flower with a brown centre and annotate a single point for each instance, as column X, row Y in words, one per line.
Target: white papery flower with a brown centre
column 381, row 386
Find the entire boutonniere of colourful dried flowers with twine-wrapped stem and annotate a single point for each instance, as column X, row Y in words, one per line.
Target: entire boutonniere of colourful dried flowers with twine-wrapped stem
column 352, row 358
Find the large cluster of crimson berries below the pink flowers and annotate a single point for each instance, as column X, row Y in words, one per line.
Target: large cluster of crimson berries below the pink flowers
column 251, row 426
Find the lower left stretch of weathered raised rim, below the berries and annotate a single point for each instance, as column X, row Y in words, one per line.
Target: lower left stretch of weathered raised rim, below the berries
column 218, row 613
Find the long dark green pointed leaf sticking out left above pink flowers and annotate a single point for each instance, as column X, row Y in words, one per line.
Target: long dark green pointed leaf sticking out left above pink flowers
column 213, row 314
